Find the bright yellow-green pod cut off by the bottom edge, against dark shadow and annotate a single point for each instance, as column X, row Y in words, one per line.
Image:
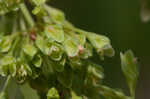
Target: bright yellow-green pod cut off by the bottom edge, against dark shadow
column 53, row 94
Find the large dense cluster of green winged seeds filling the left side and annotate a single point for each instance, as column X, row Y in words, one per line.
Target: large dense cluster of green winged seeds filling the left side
column 53, row 56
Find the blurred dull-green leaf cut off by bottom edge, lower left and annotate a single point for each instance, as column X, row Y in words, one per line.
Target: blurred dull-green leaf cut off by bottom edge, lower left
column 28, row 92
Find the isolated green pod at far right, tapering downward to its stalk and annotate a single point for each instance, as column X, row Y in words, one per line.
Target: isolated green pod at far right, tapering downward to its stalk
column 130, row 70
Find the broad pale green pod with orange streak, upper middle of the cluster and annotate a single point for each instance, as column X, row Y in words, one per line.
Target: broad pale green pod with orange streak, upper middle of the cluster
column 55, row 32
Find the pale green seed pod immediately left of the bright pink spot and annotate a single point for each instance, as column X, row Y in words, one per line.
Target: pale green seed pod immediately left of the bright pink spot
column 71, row 47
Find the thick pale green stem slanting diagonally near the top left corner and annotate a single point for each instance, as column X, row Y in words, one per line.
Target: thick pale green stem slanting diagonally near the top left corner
column 27, row 15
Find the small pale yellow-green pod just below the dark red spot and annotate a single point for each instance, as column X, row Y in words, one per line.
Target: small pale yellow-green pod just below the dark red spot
column 30, row 50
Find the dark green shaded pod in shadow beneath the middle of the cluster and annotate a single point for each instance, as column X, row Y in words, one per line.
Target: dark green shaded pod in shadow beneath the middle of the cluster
column 66, row 77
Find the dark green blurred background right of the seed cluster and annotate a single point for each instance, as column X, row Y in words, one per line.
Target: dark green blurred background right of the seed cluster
column 119, row 20
